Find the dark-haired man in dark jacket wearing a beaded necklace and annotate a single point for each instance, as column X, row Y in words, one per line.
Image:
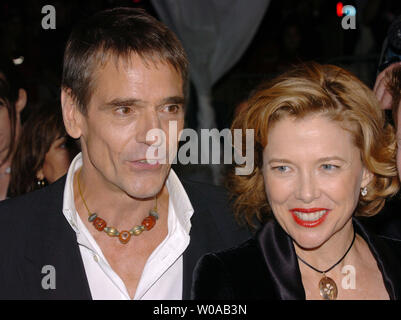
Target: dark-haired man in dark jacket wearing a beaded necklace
column 119, row 225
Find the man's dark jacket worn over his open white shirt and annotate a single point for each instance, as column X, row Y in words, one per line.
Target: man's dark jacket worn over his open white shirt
column 34, row 234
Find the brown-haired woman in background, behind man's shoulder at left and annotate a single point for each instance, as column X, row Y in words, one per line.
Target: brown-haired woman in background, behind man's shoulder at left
column 44, row 152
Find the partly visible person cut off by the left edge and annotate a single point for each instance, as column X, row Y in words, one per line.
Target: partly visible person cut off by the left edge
column 12, row 101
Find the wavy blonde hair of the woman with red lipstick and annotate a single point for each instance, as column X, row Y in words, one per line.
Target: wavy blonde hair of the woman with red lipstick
column 310, row 89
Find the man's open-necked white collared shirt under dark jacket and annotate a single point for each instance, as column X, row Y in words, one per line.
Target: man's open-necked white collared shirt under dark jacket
column 162, row 276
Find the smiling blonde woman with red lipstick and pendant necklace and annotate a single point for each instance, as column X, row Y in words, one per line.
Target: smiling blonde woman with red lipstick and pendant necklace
column 324, row 157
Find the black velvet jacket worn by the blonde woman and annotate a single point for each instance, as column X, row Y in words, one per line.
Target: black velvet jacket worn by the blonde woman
column 266, row 267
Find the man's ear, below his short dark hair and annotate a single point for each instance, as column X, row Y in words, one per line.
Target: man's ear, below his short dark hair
column 71, row 115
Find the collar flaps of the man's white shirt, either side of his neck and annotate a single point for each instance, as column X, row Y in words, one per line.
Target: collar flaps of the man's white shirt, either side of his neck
column 177, row 196
